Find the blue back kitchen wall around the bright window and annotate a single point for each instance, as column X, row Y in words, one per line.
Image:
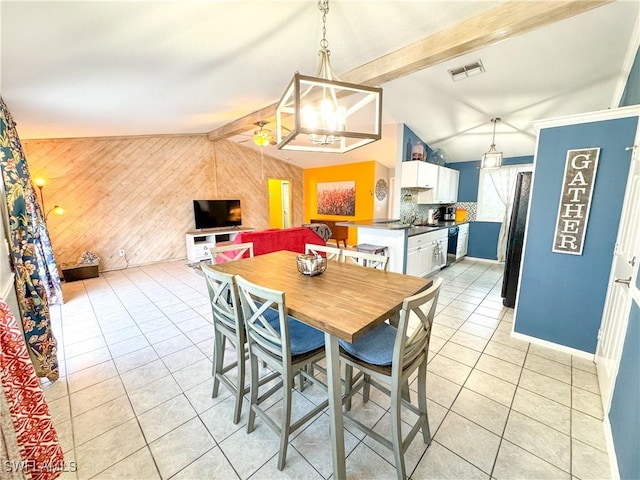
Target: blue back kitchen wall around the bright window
column 483, row 236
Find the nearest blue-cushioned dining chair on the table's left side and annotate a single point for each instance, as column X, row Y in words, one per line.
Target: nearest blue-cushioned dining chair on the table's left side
column 287, row 346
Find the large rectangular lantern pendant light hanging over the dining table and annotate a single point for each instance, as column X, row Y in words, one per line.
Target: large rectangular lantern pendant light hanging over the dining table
column 324, row 114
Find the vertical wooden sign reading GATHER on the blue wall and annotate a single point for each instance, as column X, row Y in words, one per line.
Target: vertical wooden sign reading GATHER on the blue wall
column 575, row 202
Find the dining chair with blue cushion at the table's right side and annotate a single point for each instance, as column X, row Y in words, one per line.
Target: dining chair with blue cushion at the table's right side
column 387, row 357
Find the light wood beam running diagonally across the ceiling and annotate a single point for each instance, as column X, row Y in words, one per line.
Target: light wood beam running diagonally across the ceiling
column 500, row 23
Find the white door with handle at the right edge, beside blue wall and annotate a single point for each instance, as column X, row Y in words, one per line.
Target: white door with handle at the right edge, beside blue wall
column 622, row 286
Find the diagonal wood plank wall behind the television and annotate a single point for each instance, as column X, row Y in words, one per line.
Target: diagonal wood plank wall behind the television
column 135, row 193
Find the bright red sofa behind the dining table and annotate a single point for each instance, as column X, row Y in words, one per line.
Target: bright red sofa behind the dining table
column 265, row 241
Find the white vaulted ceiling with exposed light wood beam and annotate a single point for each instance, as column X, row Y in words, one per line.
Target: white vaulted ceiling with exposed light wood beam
column 103, row 68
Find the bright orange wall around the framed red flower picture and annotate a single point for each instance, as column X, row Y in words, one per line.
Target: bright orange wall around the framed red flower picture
column 364, row 175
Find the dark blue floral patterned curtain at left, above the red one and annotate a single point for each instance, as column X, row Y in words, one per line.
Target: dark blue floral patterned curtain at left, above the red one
column 37, row 279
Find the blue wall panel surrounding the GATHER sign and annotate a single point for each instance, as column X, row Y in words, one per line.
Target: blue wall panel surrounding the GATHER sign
column 561, row 297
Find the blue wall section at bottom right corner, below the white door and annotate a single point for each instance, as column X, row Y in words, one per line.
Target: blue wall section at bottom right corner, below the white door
column 624, row 415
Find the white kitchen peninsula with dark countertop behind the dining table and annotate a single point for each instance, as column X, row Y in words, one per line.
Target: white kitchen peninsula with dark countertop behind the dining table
column 414, row 250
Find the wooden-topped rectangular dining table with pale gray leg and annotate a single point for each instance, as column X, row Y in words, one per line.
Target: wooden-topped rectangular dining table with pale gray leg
column 345, row 302
